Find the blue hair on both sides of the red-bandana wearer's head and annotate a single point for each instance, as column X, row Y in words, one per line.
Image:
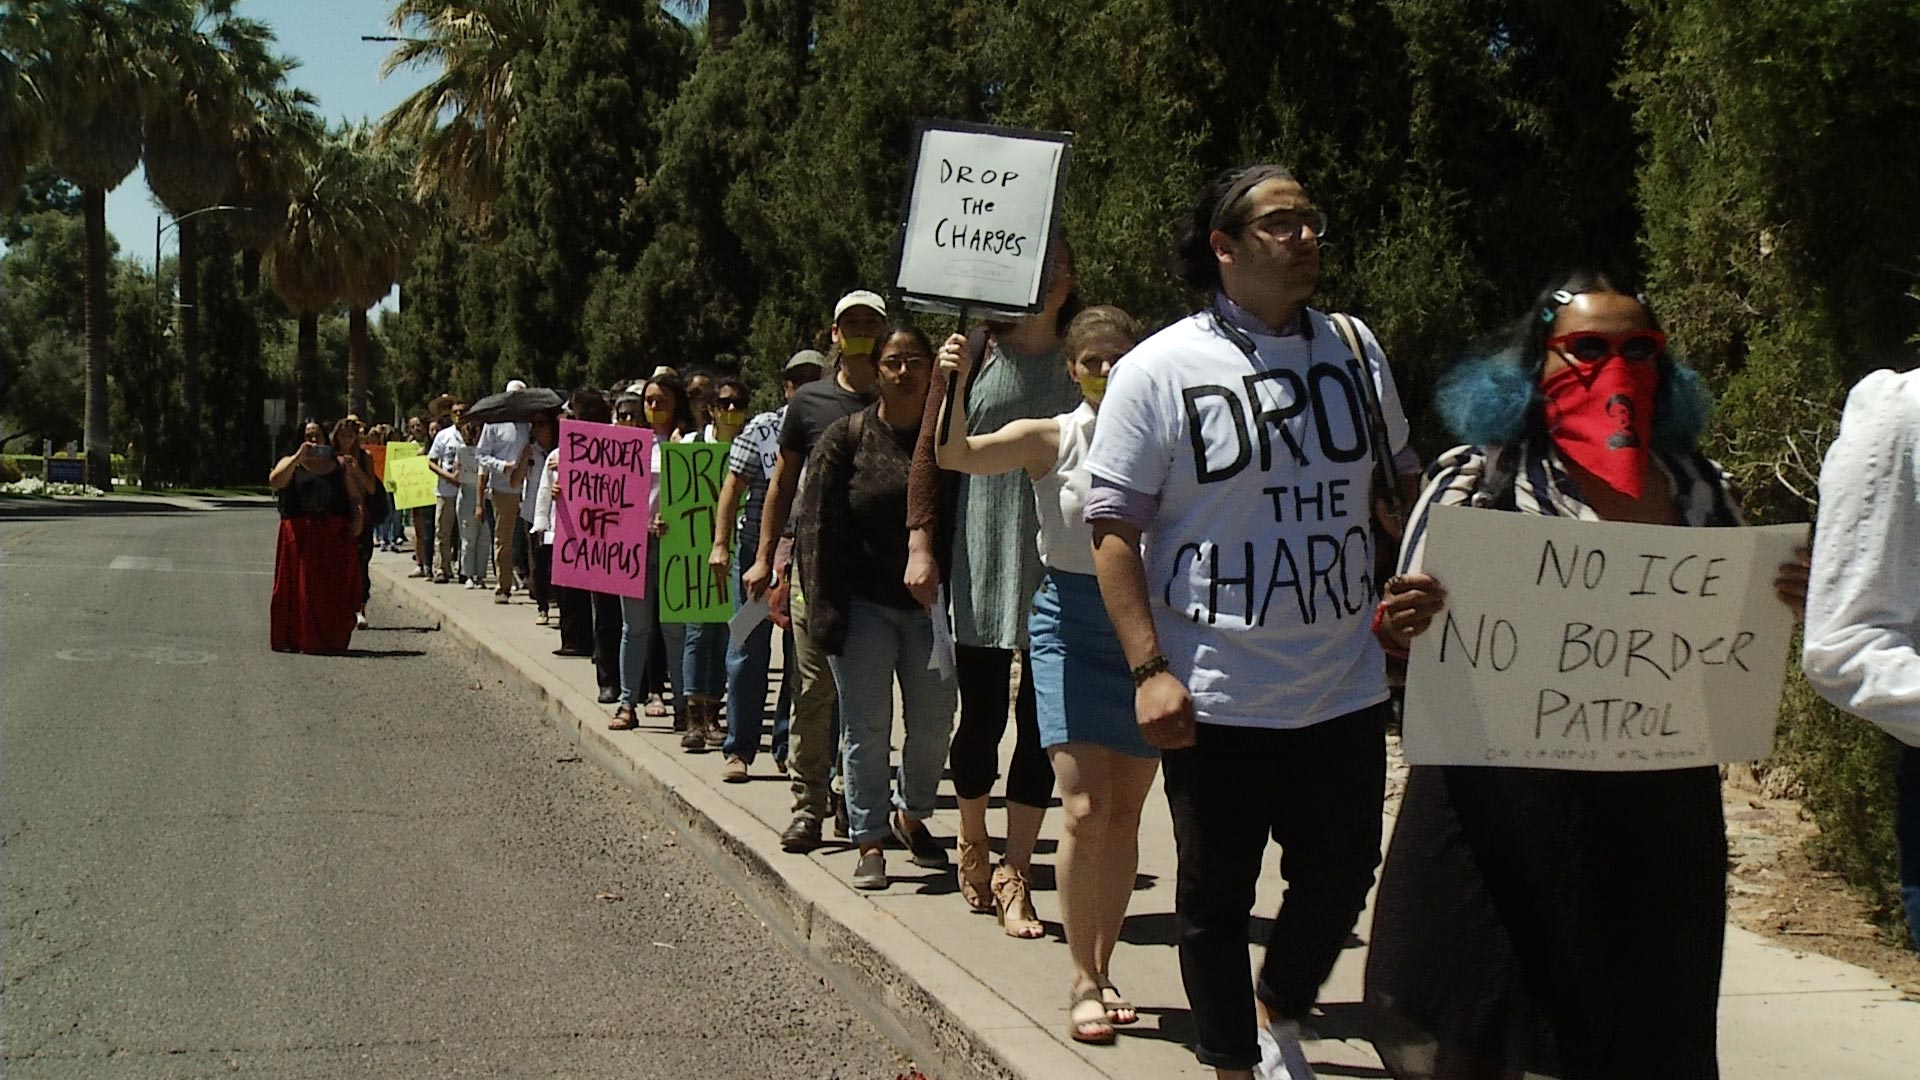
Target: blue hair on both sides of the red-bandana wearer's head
column 1493, row 401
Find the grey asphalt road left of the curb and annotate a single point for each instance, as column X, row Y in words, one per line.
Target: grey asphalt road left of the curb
column 220, row 860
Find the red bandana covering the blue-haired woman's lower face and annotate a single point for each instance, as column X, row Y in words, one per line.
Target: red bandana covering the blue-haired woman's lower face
column 1602, row 416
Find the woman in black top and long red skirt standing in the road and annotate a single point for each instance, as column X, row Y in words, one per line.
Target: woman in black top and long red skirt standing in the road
column 316, row 570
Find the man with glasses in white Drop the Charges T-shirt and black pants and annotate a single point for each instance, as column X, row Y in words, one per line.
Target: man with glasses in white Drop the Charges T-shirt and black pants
column 1234, row 537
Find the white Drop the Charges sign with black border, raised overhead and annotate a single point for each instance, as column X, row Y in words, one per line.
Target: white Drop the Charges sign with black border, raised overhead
column 982, row 205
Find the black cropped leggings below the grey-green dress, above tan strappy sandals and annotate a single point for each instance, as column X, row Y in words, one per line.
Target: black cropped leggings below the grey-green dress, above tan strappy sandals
column 976, row 750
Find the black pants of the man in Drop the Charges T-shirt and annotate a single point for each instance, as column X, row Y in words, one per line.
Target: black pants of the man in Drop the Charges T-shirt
column 1318, row 793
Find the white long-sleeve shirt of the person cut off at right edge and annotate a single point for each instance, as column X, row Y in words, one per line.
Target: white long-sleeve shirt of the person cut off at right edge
column 1863, row 601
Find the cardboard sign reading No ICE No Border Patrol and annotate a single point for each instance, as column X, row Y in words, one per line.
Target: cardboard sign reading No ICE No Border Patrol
column 1598, row 647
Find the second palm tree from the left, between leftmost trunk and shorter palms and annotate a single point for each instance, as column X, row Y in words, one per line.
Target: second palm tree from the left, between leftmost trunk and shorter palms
column 216, row 66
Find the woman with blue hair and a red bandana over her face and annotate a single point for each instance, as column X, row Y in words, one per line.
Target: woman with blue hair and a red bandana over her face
column 1535, row 921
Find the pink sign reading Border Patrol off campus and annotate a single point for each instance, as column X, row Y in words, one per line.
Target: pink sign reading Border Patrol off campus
column 602, row 514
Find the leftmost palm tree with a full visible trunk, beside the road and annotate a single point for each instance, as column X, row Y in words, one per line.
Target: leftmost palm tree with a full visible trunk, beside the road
column 95, row 70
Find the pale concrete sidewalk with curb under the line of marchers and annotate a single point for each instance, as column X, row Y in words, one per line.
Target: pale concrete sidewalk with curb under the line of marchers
column 980, row 1004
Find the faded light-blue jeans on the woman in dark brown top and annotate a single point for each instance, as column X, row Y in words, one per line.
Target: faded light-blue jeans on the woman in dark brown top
column 886, row 645
